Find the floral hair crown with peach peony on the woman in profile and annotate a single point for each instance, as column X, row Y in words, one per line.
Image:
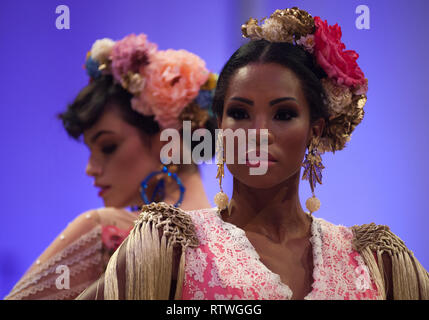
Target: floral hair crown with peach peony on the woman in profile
column 171, row 85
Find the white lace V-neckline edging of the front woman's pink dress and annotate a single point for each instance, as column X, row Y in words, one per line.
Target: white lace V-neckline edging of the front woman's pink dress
column 316, row 247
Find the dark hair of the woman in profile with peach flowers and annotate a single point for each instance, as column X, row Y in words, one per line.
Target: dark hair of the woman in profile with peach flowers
column 92, row 101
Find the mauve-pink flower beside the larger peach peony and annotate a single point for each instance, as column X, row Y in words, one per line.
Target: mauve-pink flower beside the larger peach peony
column 131, row 54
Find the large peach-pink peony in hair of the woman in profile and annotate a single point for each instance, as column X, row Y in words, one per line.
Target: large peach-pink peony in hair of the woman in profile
column 173, row 80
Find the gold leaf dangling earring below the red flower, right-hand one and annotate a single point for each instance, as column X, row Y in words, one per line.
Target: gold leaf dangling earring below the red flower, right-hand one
column 313, row 173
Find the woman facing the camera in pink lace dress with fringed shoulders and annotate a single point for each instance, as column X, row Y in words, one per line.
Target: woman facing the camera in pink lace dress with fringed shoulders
column 299, row 89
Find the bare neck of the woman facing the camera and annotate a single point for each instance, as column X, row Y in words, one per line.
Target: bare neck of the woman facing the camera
column 274, row 212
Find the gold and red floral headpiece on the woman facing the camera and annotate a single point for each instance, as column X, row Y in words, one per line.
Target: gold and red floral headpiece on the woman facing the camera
column 345, row 85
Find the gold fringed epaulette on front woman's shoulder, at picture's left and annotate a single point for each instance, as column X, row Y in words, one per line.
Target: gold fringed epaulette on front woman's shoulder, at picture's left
column 149, row 254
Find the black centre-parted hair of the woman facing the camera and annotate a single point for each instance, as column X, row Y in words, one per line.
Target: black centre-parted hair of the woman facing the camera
column 285, row 54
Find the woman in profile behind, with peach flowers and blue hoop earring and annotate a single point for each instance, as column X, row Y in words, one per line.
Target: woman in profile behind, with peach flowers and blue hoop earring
column 135, row 92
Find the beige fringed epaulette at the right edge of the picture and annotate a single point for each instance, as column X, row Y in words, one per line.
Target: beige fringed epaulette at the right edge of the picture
column 410, row 280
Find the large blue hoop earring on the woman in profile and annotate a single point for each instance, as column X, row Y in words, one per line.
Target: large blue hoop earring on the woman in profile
column 159, row 192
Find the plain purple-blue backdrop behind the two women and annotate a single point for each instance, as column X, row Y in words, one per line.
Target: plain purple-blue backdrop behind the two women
column 378, row 178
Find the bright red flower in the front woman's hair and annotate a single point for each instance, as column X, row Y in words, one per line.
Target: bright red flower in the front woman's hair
column 338, row 63
